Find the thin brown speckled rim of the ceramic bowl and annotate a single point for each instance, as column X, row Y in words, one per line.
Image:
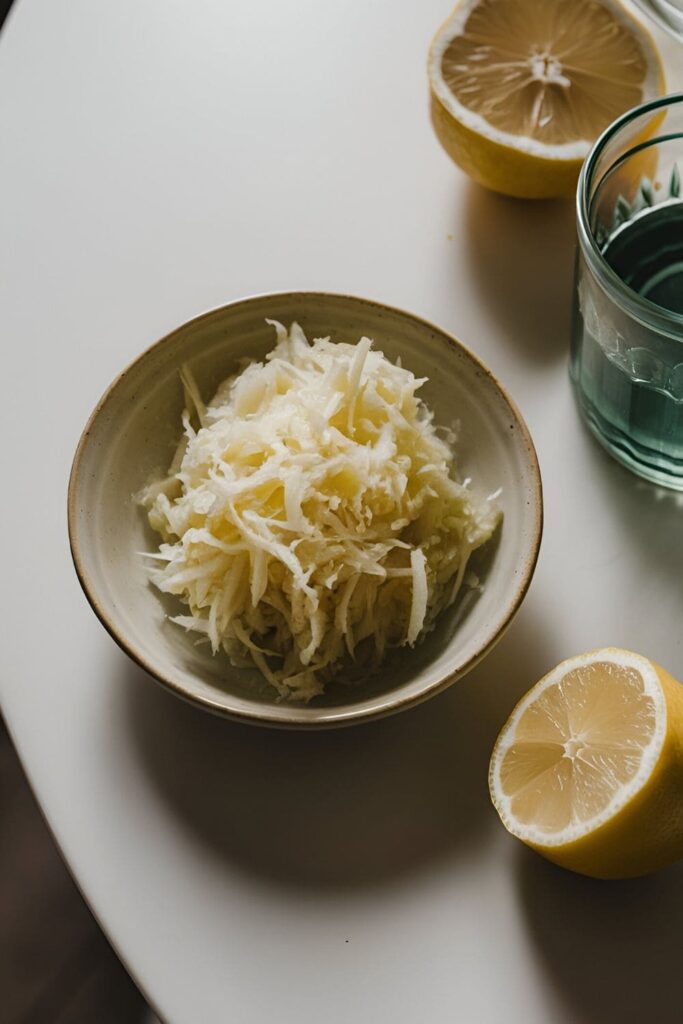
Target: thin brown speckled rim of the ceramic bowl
column 388, row 704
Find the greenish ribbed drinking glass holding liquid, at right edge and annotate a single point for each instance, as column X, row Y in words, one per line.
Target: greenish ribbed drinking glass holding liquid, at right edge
column 627, row 347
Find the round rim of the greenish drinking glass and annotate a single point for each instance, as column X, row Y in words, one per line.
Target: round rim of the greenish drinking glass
column 636, row 306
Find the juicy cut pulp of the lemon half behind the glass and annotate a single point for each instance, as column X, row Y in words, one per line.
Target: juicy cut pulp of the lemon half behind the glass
column 557, row 72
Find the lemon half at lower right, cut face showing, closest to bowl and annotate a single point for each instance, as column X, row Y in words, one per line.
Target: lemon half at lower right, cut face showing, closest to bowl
column 588, row 770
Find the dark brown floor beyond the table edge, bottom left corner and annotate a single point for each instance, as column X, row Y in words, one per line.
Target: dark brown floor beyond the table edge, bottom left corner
column 56, row 965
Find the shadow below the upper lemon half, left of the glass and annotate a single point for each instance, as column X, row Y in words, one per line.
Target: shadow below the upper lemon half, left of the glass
column 521, row 257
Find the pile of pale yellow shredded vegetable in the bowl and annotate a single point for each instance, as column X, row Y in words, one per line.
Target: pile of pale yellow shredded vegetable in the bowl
column 310, row 517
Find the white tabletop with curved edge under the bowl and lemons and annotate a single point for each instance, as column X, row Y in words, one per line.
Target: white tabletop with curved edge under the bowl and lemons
column 161, row 157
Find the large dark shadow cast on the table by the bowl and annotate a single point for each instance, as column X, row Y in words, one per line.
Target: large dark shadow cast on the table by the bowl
column 339, row 809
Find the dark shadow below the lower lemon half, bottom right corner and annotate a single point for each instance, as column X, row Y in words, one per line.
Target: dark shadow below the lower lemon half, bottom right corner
column 612, row 950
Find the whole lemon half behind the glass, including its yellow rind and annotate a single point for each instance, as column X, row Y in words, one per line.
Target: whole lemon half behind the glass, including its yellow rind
column 522, row 90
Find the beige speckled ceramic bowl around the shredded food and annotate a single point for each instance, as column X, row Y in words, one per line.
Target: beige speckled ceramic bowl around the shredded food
column 132, row 437
